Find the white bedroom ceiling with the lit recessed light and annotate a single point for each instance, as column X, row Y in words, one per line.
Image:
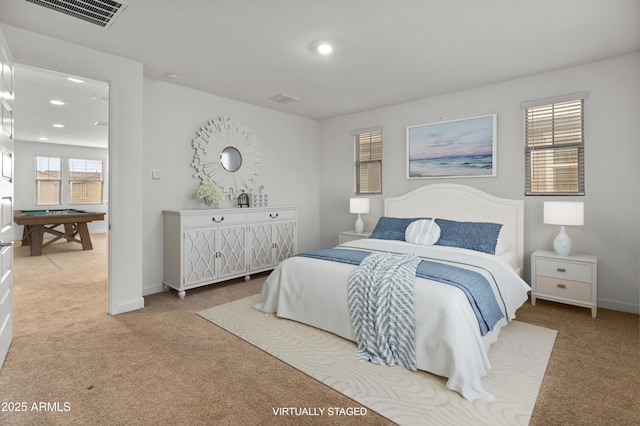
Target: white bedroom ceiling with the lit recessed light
column 385, row 51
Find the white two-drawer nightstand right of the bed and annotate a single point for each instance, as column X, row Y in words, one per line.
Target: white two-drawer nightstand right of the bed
column 566, row 279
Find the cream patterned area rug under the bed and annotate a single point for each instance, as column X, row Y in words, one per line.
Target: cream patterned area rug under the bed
column 519, row 360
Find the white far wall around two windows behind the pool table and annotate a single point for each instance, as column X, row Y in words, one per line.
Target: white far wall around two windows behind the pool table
column 25, row 188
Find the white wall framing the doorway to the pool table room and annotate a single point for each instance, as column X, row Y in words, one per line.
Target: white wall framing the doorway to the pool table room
column 125, row 142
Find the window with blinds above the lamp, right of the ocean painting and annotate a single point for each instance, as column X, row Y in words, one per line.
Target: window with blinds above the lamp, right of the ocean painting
column 554, row 151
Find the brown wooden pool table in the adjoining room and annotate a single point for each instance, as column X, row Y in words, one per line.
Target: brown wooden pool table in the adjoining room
column 38, row 222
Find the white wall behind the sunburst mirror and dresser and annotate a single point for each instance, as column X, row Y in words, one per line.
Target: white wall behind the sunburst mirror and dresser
column 289, row 146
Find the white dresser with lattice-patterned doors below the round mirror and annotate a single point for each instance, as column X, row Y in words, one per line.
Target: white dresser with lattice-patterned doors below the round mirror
column 202, row 247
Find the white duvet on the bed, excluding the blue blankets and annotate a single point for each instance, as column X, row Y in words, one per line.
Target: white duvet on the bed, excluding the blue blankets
column 448, row 340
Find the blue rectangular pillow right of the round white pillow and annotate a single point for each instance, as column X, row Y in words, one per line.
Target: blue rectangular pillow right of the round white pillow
column 479, row 236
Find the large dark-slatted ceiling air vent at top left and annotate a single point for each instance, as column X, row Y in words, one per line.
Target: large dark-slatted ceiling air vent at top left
column 99, row 12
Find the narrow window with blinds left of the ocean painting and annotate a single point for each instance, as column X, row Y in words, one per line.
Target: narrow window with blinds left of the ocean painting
column 369, row 161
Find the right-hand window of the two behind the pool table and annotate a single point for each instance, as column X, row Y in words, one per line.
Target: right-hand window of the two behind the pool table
column 85, row 181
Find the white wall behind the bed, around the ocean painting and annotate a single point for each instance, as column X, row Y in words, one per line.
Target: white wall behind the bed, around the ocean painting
column 612, row 154
